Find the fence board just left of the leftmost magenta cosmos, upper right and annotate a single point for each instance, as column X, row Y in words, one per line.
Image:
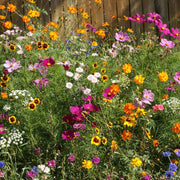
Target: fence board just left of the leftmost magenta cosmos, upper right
column 123, row 9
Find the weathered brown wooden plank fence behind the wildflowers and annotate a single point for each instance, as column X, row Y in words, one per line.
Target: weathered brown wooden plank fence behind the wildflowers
column 168, row 9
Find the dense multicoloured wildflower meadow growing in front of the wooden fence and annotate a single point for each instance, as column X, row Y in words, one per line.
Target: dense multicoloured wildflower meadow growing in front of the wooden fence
column 95, row 104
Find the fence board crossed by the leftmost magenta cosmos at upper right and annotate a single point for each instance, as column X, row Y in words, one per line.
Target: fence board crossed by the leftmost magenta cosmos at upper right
column 136, row 7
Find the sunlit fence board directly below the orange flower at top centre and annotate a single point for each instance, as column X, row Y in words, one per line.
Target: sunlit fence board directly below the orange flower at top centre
column 97, row 14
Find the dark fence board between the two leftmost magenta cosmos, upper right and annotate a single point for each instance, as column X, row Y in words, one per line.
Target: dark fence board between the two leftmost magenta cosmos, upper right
column 148, row 6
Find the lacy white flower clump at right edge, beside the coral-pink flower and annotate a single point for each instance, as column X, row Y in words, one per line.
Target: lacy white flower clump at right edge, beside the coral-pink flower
column 173, row 103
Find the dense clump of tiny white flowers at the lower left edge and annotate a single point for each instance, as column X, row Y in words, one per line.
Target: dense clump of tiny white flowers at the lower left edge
column 14, row 137
